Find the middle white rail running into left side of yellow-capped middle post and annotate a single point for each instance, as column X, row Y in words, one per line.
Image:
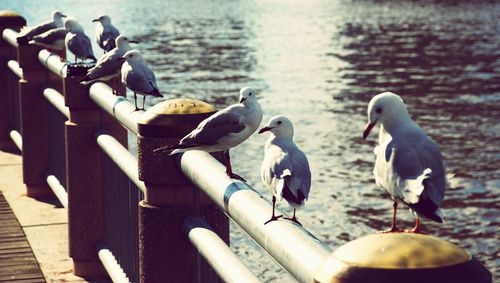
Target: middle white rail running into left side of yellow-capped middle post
column 122, row 158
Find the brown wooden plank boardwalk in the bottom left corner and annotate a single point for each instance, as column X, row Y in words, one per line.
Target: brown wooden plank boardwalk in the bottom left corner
column 17, row 261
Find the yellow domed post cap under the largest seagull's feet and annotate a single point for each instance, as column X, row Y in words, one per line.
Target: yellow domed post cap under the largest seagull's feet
column 401, row 257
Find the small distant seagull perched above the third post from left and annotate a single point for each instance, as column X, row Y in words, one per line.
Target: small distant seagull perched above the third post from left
column 77, row 42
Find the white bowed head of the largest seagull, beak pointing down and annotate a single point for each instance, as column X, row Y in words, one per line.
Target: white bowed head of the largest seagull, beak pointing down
column 385, row 106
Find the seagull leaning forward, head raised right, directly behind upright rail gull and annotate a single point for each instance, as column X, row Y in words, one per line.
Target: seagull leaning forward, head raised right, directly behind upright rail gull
column 109, row 65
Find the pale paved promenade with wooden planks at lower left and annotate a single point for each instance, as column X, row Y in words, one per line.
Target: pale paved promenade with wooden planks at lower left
column 45, row 226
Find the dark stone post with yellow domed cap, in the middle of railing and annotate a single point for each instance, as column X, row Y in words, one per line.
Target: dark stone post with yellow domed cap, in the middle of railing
column 165, row 253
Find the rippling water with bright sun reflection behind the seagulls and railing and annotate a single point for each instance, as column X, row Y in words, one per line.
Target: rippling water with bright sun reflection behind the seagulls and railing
column 319, row 63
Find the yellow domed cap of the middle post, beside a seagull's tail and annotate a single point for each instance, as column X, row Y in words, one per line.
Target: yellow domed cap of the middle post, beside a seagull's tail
column 167, row 117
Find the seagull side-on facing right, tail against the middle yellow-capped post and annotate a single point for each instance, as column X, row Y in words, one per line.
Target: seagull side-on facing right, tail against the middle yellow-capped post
column 223, row 130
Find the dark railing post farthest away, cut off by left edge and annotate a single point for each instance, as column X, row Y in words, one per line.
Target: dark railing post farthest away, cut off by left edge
column 13, row 21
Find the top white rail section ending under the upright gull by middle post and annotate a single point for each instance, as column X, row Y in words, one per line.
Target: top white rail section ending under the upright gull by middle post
column 116, row 106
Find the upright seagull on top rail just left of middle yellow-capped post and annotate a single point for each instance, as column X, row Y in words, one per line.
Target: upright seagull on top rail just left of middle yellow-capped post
column 138, row 77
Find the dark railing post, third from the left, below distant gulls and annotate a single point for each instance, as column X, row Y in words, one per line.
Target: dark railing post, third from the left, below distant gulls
column 83, row 179
